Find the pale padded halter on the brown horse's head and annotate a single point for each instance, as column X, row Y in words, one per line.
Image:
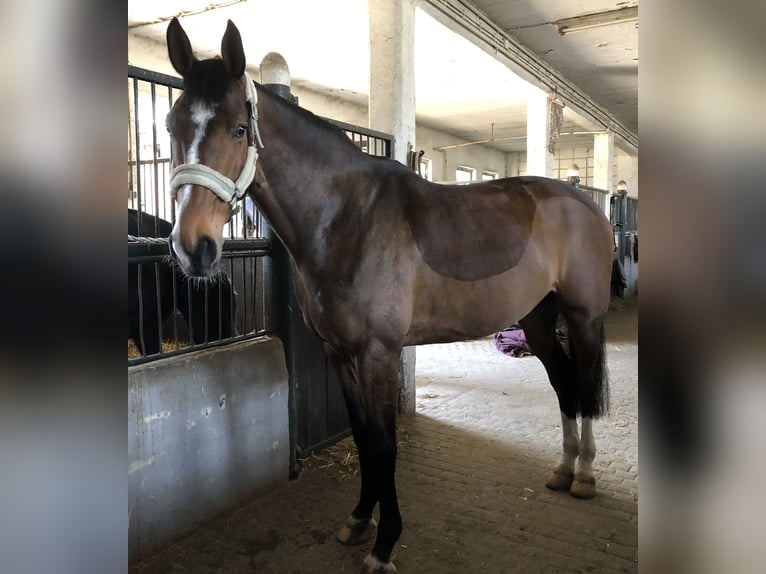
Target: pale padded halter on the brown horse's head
column 228, row 190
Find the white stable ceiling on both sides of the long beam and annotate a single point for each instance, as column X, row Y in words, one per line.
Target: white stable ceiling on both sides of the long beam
column 460, row 88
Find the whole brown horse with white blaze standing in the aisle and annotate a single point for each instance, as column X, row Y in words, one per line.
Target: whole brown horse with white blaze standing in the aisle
column 383, row 258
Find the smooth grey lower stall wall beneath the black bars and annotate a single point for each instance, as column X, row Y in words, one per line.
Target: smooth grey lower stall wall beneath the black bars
column 206, row 431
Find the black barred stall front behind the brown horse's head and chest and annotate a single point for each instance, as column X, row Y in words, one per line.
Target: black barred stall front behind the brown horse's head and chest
column 255, row 261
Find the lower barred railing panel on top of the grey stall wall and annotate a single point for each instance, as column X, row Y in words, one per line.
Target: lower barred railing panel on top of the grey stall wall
column 173, row 315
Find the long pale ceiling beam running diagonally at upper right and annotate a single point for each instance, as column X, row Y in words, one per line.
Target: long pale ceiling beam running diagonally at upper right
column 463, row 17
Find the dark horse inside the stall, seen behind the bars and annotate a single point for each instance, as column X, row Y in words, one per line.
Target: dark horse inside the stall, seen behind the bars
column 191, row 300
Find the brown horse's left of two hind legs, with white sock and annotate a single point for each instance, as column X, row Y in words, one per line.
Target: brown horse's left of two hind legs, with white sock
column 540, row 331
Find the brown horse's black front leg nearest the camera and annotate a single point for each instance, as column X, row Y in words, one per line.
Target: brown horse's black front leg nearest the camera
column 376, row 392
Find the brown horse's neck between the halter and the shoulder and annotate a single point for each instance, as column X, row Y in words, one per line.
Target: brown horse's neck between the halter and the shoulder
column 300, row 170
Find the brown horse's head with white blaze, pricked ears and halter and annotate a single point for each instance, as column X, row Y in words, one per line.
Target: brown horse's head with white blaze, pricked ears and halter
column 213, row 129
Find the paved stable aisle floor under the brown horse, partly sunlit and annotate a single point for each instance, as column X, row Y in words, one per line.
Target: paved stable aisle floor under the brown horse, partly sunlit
column 471, row 481
